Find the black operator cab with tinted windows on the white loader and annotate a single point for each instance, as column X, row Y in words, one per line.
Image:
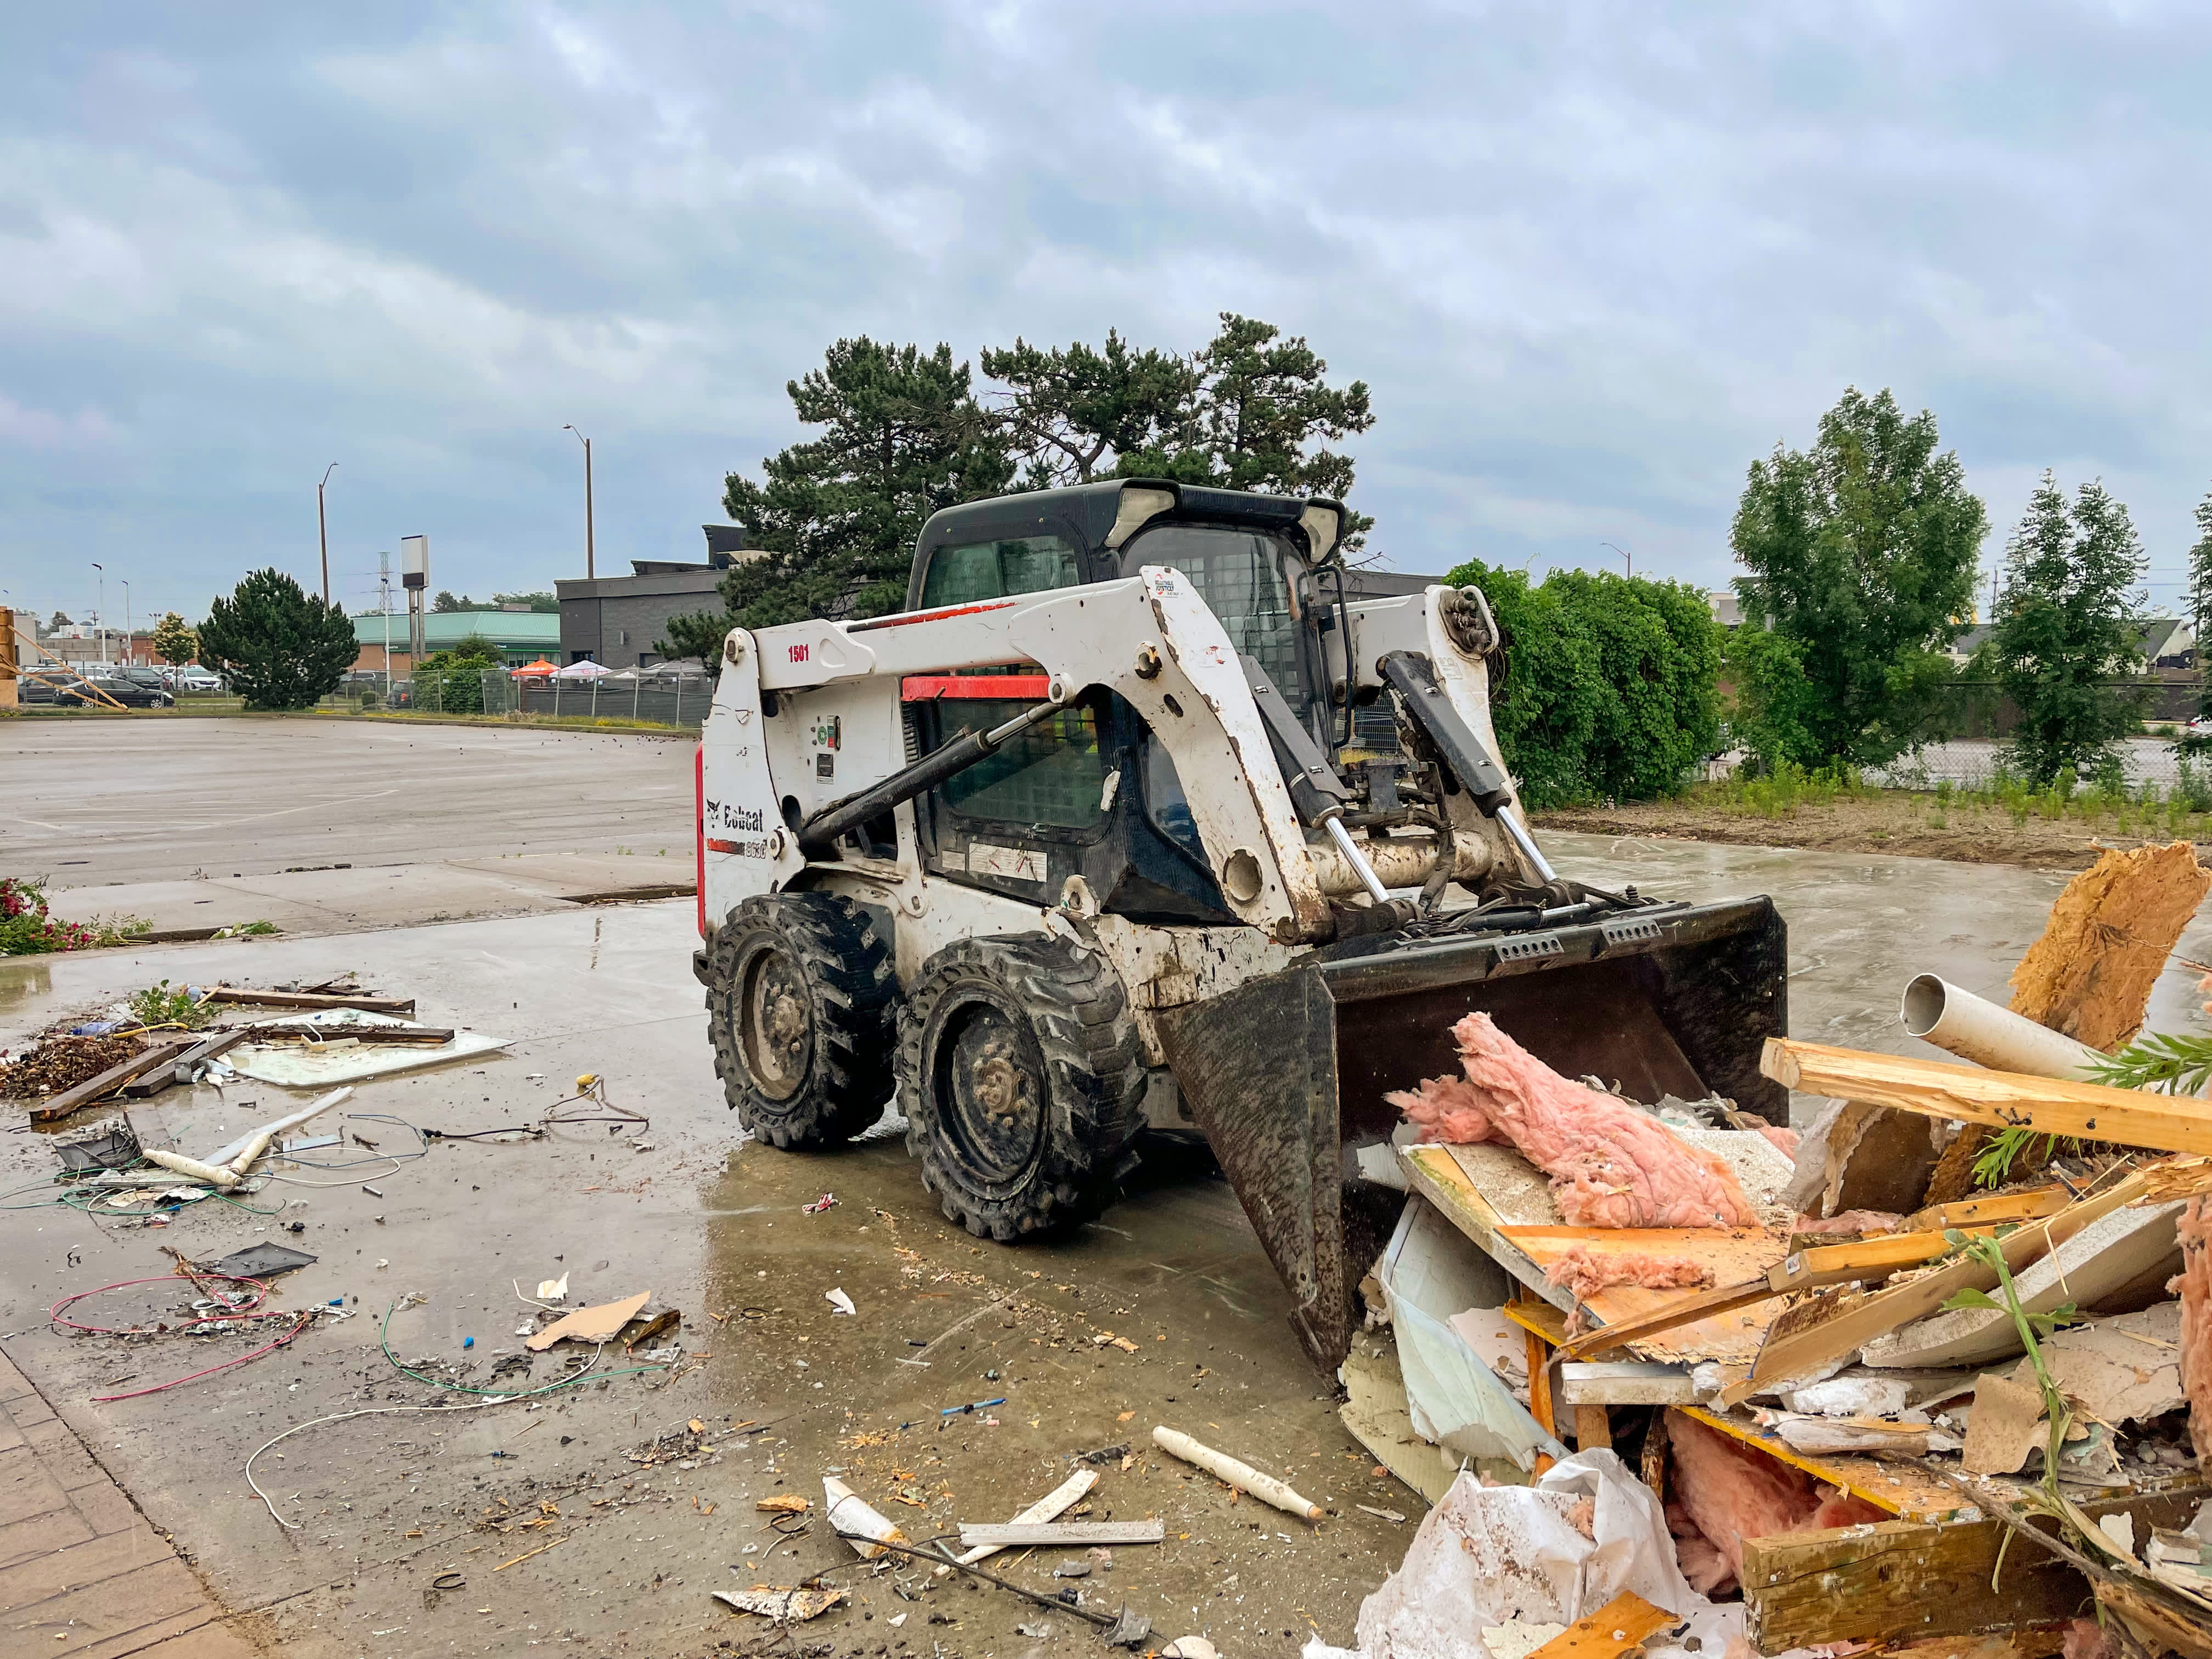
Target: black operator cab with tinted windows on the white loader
column 1089, row 793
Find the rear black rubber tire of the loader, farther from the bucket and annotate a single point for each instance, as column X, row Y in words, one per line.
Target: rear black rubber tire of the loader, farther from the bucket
column 820, row 966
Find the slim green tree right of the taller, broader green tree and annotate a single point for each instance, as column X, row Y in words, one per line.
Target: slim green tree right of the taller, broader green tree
column 2069, row 627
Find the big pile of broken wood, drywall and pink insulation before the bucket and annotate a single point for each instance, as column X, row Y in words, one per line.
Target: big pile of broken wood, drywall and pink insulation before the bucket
column 1939, row 1368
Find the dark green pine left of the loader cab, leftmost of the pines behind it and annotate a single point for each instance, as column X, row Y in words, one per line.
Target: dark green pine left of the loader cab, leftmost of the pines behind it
column 839, row 514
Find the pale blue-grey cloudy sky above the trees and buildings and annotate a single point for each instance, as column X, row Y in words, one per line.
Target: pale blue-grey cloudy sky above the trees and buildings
column 1592, row 260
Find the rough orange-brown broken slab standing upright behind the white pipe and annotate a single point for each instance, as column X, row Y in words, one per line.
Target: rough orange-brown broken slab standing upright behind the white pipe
column 2109, row 937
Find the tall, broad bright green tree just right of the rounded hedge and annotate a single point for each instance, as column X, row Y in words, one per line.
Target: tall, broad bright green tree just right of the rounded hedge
column 1861, row 559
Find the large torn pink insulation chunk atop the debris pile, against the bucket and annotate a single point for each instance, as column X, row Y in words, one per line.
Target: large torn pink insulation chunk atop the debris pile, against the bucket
column 1609, row 1165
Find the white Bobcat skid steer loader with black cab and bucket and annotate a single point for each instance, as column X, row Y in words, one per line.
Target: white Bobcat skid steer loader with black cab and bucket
column 1134, row 822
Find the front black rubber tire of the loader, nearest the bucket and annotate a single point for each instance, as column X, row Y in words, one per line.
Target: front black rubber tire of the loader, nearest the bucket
column 1047, row 1027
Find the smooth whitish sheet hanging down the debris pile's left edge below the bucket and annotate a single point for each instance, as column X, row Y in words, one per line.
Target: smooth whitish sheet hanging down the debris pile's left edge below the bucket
column 1430, row 1273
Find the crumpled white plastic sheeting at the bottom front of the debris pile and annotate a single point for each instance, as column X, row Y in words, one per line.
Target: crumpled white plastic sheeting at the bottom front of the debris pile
column 1492, row 1556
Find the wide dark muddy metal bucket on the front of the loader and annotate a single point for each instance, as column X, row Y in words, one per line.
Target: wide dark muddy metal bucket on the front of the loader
column 1286, row 1074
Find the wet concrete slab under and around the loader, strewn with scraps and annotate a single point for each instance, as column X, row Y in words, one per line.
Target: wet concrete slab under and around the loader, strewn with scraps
column 598, row 1519
